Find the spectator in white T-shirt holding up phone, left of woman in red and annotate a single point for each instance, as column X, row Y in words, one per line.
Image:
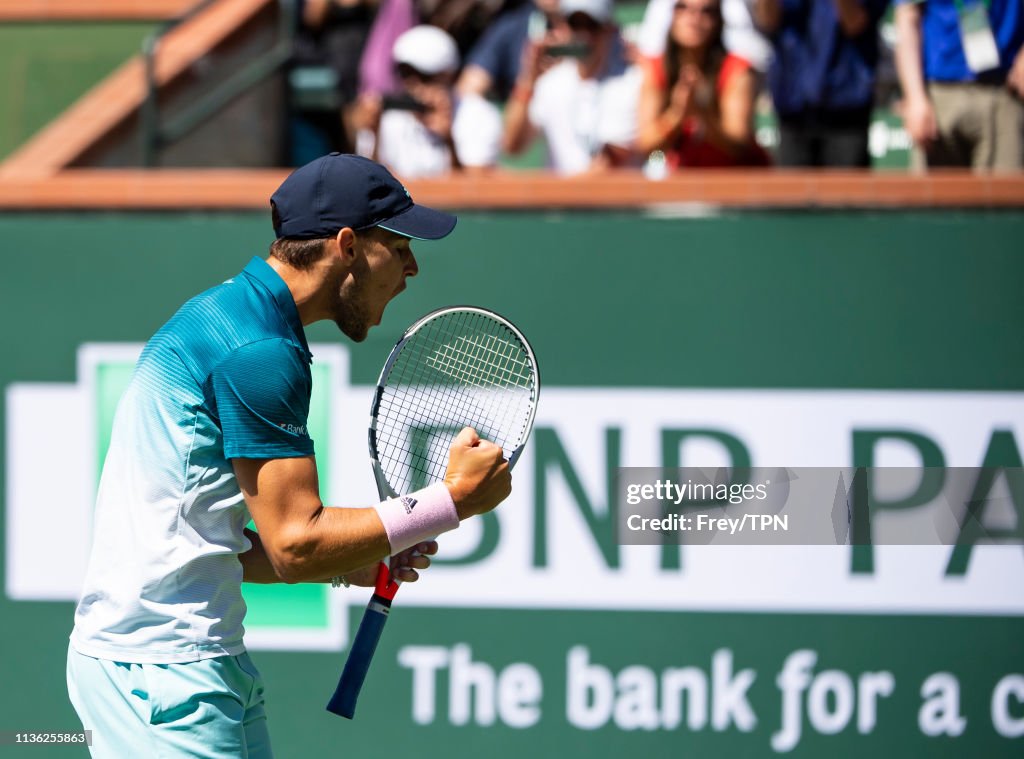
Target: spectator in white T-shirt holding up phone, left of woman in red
column 575, row 88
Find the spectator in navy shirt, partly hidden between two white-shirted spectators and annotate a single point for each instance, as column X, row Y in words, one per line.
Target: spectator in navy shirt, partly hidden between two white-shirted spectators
column 493, row 65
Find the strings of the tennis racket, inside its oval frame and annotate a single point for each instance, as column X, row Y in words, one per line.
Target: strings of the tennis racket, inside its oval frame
column 462, row 369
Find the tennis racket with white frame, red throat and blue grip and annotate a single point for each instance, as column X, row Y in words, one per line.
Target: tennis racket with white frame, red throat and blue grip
column 454, row 368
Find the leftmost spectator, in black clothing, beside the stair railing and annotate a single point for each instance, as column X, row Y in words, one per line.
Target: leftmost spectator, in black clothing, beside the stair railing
column 324, row 75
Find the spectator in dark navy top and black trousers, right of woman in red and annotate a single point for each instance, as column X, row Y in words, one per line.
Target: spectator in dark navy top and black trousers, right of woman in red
column 823, row 77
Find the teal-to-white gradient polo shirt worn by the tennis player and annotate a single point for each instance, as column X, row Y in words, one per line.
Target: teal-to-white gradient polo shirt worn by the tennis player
column 227, row 377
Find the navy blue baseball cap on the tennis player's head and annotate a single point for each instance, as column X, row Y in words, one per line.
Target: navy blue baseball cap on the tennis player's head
column 340, row 190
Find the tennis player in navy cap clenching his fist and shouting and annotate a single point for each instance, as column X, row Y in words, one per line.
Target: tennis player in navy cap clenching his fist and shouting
column 212, row 432
